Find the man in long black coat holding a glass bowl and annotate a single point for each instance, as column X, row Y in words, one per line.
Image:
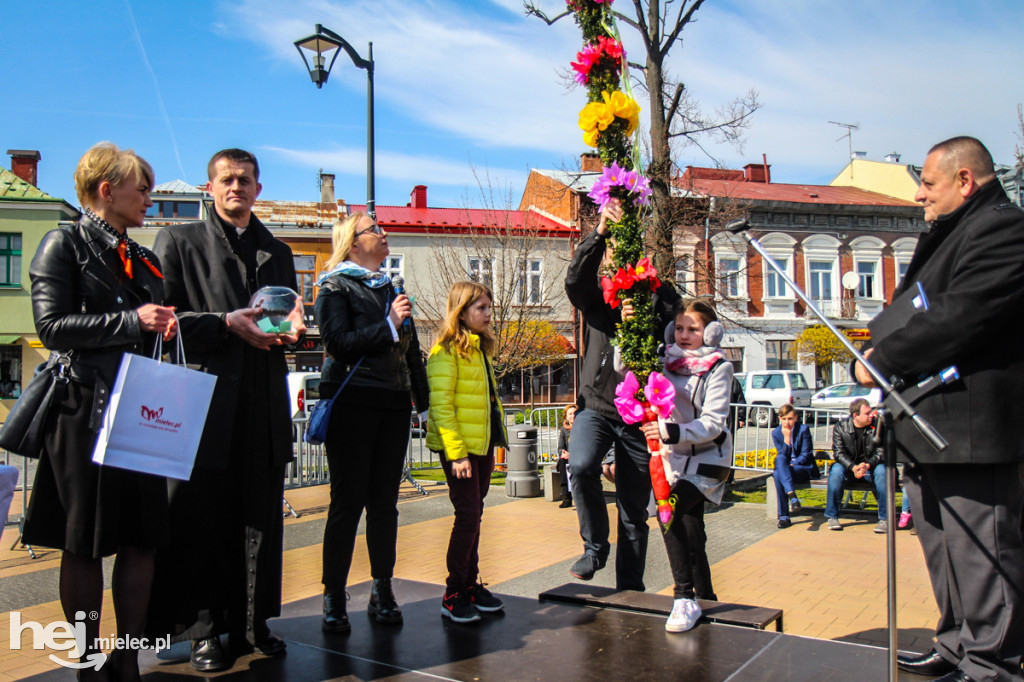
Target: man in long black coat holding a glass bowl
column 223, row 572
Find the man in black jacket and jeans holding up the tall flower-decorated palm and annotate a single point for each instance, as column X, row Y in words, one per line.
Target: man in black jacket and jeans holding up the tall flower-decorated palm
column 599, row 428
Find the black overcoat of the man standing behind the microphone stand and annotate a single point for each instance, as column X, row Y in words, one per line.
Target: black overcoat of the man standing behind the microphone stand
column 971, row 266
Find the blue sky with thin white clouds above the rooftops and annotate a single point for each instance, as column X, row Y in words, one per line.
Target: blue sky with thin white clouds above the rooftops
column 473, row 89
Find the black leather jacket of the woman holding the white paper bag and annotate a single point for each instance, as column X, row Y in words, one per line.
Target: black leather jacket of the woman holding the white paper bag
column 83, row 304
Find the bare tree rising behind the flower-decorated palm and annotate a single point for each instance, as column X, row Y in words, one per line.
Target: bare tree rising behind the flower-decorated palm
column 676, row 118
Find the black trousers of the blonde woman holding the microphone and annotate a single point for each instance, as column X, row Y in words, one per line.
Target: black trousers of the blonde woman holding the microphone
column 366, row 449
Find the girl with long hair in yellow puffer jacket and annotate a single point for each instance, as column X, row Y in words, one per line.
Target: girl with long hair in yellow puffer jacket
column 466, row 424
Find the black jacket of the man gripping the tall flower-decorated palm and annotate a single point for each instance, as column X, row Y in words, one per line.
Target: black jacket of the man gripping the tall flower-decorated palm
column 598, row 376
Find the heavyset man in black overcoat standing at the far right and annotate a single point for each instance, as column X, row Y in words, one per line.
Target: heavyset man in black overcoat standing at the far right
column 968, row 499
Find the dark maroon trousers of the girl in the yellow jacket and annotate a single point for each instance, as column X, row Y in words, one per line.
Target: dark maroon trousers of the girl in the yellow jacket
column 467, row 497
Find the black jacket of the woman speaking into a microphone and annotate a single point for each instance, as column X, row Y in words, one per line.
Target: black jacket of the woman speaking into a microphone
column 353, row 321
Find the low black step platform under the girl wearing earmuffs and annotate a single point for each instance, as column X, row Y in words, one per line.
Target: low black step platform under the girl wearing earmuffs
column 758, row 618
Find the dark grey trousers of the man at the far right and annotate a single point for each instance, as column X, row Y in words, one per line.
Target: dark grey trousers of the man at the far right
column 969, row 523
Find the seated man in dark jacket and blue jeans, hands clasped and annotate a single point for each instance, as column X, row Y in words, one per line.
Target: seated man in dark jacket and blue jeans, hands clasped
column 857, row 459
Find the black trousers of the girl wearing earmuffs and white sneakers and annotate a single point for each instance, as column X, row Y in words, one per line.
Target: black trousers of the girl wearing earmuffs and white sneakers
column 686, row 543
